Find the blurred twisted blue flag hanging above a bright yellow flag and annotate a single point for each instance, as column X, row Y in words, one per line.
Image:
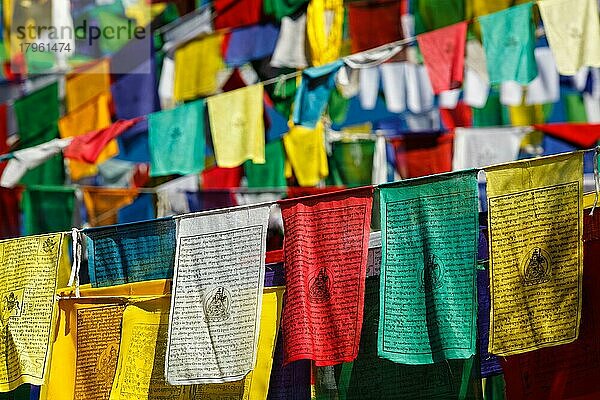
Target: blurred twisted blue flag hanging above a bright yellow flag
column 313, row 93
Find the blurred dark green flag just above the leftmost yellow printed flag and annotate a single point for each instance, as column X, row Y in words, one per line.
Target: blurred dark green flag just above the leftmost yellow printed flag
column 47, row 209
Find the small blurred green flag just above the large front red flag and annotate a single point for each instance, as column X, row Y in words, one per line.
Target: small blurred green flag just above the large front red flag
column 354, row 161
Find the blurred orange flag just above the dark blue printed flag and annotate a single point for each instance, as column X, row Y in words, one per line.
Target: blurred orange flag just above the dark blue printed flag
column 103, row 203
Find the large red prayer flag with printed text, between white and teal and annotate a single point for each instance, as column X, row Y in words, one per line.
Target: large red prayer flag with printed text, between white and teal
column 326, row 249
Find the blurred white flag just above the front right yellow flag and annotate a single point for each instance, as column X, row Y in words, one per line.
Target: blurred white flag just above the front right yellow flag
column 480, row 147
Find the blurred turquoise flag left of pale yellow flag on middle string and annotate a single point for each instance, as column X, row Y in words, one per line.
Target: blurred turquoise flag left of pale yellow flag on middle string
column 177, row 140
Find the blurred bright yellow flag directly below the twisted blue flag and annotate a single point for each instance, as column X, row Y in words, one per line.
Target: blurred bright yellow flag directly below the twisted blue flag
column 305, row 154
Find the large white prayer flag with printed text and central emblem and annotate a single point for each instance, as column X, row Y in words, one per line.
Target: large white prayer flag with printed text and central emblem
column 217, row 295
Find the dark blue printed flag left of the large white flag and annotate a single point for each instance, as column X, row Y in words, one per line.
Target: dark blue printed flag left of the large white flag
column 132, row 252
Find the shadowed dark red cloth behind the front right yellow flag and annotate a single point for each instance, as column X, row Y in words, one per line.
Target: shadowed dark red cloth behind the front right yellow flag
column 570, row 371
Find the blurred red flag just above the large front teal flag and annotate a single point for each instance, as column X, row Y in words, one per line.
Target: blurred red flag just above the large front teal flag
column 423, row 154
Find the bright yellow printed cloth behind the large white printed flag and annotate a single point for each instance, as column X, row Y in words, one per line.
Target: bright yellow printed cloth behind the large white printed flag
column 140, row 369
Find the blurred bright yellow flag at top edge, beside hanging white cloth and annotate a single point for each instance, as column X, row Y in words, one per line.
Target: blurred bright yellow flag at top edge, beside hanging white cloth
column 324, row 40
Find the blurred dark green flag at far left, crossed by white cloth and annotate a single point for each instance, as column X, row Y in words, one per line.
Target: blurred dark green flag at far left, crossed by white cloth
column 37, row 120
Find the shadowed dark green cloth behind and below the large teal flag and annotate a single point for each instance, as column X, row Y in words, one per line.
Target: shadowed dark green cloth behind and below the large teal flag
column 372, row 377
